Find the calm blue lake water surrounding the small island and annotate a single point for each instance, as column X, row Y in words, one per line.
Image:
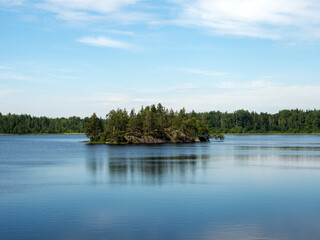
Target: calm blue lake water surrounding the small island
column 248, row 187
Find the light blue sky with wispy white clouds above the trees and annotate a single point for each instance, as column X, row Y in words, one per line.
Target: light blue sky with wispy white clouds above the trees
column 75, row 57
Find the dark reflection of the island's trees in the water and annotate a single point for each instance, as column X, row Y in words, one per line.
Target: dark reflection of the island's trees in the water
column 123, row 168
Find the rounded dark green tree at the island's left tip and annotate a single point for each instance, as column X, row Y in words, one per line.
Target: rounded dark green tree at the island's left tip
column 94, row 128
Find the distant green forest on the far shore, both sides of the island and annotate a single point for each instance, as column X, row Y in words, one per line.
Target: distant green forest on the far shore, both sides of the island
column 241, row 121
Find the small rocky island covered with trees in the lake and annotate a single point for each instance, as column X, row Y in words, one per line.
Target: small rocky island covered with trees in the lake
column 152, row 124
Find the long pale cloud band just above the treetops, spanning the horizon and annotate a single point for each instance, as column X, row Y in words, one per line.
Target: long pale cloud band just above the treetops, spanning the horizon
column 265, row 97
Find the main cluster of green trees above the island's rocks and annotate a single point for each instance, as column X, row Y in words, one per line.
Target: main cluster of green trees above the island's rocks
column 152, row 121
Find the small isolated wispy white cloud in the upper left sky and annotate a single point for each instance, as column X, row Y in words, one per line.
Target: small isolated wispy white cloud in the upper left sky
column 104, row 42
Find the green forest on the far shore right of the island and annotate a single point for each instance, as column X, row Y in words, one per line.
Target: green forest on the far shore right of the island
column 285, row 121
